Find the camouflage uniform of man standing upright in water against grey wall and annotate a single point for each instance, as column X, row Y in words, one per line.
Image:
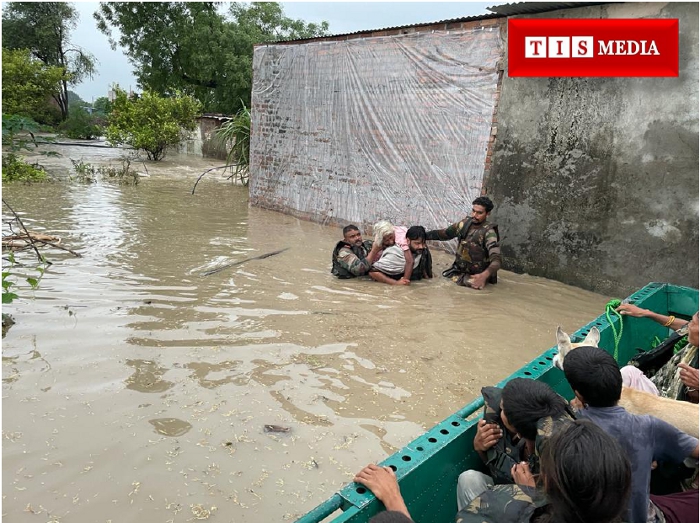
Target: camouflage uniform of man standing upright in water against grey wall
column 478, row 250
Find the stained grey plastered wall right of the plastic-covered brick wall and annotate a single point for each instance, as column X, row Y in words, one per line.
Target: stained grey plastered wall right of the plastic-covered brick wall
column 596, row 180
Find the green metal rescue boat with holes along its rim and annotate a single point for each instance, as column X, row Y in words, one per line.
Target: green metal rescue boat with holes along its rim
column 428, row 467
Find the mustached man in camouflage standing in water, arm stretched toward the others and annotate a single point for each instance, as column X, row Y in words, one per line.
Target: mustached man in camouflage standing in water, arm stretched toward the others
column 478, row 257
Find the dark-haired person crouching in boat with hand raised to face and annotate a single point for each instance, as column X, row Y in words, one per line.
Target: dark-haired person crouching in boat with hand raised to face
column 505, row 437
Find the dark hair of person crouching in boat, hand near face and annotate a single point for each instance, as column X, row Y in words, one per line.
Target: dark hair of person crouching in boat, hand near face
column 525, row 401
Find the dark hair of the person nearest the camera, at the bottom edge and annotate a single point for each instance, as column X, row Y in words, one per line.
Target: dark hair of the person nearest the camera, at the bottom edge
column 586, row 475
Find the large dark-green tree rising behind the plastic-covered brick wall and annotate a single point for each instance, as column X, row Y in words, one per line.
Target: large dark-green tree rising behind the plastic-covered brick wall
column 197, row 49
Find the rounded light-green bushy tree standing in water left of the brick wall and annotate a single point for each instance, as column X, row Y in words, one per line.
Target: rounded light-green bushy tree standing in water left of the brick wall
column 151, row 122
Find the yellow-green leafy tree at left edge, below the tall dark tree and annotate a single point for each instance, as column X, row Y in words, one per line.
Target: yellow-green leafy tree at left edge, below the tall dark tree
column 27, row 83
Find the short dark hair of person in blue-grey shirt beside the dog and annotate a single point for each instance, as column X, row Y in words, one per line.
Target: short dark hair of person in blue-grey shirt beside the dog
column 594, row 374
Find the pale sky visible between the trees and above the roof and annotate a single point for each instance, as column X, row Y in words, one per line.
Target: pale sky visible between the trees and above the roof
column 342, row 17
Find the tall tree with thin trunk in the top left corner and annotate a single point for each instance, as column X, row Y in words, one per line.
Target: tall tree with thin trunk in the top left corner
column 44, row 28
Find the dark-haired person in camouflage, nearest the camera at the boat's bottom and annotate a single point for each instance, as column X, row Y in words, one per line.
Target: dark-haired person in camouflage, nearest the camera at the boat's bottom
column 585, row 477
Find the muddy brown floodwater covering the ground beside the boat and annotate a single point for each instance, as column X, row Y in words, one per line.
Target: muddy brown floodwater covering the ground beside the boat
column 136, row 389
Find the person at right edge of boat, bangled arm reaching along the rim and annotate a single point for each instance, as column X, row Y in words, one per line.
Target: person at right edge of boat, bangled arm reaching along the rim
column 678, row 378
